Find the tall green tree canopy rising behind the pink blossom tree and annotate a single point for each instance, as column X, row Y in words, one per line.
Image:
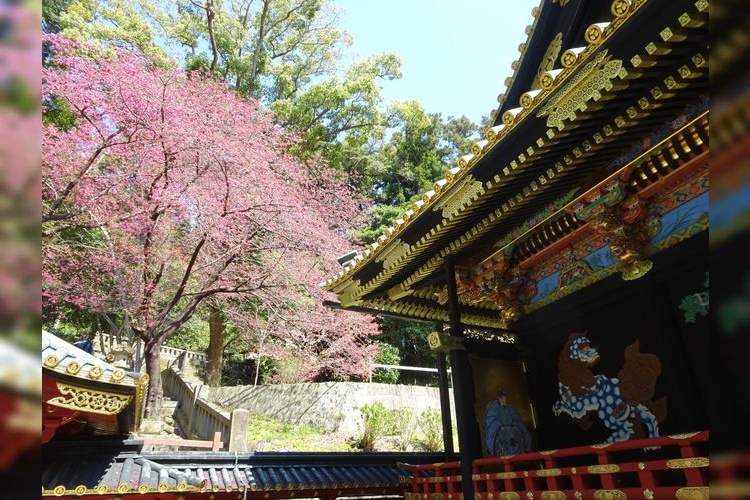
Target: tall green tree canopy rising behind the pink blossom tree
column 288, row 54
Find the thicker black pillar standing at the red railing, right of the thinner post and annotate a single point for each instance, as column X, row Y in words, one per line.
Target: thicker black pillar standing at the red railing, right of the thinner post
column 463, row 390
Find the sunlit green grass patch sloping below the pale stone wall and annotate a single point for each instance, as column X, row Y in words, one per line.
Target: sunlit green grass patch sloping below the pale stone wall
column 267, row 434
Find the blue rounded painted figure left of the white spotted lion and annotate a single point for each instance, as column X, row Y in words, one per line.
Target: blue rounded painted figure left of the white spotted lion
column 506, row 434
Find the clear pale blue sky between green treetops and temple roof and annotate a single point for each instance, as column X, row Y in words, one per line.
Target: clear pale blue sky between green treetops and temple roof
column 455, row 54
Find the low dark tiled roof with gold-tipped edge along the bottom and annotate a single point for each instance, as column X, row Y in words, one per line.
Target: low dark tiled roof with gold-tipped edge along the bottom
column 88, row 468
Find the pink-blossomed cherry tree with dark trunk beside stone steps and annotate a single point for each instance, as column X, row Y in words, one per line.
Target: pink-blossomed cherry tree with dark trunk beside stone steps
column 169, row 189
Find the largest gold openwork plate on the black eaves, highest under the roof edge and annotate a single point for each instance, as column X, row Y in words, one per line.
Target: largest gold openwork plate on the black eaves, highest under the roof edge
column 587, row 85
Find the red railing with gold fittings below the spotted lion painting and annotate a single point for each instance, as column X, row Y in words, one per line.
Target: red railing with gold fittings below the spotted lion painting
column 664, row 467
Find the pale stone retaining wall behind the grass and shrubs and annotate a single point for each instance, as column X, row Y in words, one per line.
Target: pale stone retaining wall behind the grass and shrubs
column 329, row 406
